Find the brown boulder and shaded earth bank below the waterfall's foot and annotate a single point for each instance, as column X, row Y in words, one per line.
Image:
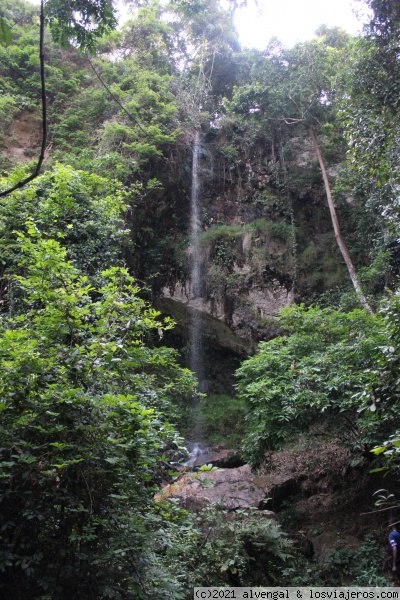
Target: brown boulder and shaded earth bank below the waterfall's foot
column 310, row 488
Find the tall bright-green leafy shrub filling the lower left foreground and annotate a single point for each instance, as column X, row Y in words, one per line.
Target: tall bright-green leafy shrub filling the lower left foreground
column 83, row 431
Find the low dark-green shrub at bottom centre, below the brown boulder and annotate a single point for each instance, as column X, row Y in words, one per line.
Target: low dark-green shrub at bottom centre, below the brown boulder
column 219, row 549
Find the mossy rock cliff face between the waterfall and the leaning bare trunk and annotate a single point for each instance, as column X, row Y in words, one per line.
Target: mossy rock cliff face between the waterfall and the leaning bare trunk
column 262, row 246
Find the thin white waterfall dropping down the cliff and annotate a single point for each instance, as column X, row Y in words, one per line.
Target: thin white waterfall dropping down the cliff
column 195, row 360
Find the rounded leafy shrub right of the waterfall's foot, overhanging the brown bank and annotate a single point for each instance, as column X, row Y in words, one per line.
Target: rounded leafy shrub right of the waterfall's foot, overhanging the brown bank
column 309, row 375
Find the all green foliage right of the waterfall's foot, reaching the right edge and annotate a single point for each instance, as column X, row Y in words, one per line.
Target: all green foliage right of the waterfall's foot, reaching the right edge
column 332, row 372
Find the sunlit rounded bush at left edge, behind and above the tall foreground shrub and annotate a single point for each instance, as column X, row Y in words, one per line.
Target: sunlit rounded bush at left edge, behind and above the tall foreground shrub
column 82, row 208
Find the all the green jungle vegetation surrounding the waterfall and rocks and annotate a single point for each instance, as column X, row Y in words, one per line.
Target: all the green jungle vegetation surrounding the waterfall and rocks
column 96, row 125
